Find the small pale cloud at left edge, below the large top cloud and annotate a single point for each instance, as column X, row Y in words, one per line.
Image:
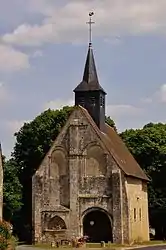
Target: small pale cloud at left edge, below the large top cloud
column 12, row 60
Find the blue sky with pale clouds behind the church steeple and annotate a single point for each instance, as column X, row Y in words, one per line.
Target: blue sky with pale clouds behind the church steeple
column 43, row 46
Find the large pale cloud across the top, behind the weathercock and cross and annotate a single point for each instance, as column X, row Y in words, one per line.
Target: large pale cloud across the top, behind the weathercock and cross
column 66, row 22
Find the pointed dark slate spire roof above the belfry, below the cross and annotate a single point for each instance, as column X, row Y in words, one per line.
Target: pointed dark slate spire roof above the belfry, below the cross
column 90, row 79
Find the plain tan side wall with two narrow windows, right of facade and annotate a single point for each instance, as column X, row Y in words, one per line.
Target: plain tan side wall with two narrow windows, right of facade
column 138, row 209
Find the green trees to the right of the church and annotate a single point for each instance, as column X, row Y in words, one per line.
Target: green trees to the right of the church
column 148, row 145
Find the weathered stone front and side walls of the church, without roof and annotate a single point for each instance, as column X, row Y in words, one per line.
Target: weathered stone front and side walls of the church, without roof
column 78, row 176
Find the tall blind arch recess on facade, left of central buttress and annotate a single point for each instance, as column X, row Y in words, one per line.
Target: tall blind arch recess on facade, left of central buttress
column 59, row 173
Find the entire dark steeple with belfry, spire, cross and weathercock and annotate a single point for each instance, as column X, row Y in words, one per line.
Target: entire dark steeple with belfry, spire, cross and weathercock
column 89, row 93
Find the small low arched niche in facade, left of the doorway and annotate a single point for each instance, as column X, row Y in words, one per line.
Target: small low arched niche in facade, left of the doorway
column 56, row 223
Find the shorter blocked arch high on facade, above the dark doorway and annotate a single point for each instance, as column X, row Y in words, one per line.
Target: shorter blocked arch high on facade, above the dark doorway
column 95, row 161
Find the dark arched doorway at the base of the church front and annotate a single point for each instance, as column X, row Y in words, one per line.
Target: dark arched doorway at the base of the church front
column 97, row 226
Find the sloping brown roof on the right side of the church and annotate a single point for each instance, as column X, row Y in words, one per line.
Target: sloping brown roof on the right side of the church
column 117, row 148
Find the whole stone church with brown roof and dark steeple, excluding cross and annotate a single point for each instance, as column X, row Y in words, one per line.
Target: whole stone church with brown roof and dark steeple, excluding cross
column 88, row 183
